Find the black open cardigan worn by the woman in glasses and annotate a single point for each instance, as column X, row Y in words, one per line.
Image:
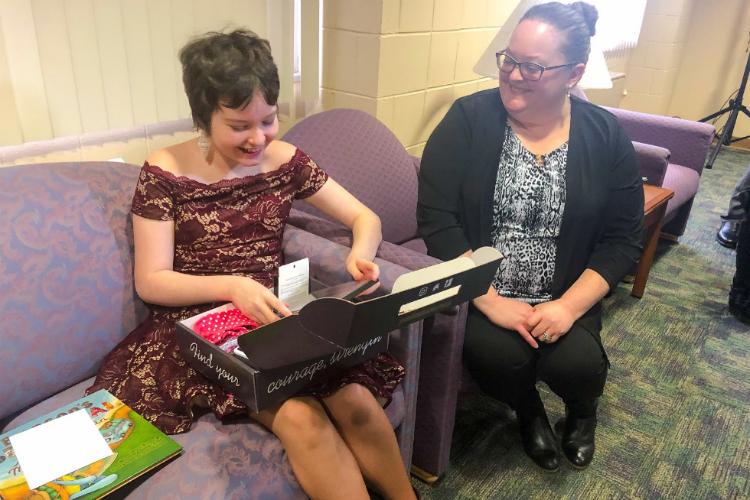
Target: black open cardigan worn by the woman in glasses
column 603, row 217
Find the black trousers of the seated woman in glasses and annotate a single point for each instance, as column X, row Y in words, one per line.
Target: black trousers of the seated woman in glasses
column 506, row 367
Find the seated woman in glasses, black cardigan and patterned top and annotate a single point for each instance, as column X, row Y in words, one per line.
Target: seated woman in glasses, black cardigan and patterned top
column 552, row 182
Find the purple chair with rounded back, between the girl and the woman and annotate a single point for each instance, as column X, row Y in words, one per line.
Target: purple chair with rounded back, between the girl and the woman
column 366, row 158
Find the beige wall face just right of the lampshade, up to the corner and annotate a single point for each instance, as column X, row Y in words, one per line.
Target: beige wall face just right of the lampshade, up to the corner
column 654, row 64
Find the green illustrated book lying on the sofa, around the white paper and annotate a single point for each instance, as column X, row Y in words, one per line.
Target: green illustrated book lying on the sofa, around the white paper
column 137, row 447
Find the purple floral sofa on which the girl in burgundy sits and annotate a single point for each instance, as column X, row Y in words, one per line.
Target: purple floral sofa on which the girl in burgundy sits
column 67, row 298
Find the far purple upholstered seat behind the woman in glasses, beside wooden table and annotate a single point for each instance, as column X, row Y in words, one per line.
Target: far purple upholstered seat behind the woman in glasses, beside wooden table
column 686, row 143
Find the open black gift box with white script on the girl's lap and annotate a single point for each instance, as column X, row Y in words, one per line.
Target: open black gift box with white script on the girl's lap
column 330, row 334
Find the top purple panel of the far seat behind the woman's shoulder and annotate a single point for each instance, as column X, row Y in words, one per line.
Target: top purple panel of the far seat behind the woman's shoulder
column 687, row 140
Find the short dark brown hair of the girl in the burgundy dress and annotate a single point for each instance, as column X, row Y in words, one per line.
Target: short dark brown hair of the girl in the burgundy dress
column 227, row 69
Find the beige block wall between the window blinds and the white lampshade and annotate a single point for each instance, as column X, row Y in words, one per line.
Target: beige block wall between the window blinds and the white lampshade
column 406, row 61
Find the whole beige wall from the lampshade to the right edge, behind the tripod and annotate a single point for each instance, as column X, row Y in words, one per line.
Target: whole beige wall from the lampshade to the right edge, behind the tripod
column 690, row 58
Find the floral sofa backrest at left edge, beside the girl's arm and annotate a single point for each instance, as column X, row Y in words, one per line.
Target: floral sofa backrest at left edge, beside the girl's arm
column 65, row 274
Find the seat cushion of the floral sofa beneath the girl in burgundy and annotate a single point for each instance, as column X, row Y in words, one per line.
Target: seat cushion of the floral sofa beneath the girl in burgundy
column 235, row 459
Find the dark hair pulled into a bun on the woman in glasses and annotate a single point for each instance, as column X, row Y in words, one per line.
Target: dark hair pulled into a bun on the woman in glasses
column 577, row 22
